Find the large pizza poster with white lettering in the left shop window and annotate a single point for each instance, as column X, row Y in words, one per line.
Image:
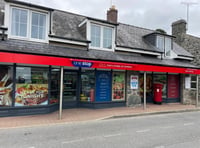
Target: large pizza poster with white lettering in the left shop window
column 31, row 94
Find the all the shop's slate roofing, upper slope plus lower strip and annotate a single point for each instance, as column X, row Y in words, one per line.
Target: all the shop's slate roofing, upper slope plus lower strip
column 66, row 24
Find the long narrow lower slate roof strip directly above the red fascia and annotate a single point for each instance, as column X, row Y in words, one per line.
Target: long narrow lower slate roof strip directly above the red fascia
column 52, row 50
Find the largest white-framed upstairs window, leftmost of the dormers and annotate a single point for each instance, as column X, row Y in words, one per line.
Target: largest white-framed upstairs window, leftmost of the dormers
column 28, row 24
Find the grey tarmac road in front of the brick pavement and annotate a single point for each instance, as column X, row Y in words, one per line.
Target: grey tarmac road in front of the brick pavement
column 179, row 130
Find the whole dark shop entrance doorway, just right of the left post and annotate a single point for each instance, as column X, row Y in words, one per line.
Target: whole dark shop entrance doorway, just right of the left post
column 70, row 79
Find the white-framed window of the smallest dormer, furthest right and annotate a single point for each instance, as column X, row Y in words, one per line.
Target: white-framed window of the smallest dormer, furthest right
column 164, row 43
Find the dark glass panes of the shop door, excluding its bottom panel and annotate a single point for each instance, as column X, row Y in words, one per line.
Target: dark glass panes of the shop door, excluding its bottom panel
column 70, row 86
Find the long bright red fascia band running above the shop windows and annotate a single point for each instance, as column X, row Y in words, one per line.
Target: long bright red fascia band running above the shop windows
column 58, row 61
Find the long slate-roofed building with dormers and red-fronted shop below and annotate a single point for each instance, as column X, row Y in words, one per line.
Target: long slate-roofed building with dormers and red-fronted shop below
column 50, row 57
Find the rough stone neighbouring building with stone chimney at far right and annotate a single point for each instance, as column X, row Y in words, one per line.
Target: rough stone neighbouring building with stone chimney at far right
column 192, row 45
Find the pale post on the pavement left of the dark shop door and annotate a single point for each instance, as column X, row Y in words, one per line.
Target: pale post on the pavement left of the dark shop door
column 61, row 92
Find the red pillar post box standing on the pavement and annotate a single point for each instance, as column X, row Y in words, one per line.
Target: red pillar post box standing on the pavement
column 158, row 93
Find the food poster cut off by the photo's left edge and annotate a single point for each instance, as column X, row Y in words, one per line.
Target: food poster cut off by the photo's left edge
column 5, row 90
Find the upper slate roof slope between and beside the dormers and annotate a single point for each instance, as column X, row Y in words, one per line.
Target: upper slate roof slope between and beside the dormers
column 65, row 24
